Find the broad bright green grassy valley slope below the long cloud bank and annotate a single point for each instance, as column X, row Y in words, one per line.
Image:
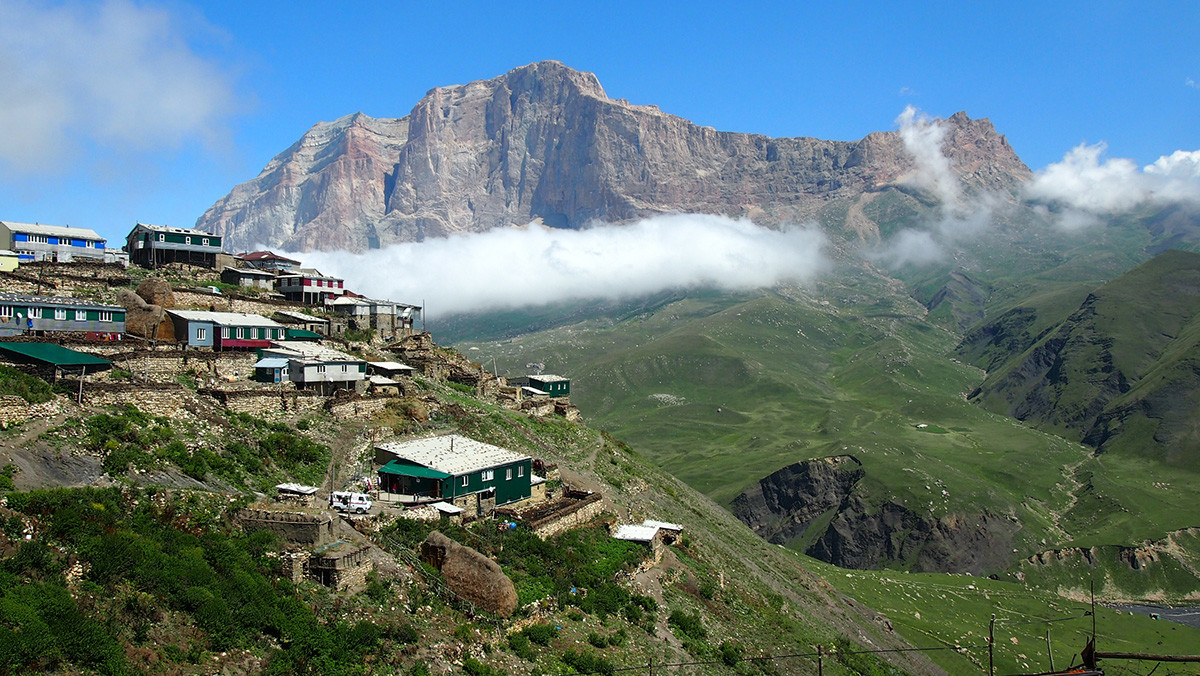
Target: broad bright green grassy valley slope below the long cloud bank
column 724, row 390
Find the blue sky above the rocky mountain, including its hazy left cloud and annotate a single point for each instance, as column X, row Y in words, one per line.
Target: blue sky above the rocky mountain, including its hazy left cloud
column 116, row 112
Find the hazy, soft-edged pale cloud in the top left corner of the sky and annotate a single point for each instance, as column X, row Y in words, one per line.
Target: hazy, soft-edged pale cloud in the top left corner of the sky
column 112, row 75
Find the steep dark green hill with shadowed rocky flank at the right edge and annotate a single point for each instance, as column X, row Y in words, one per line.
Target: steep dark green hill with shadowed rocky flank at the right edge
column 1120, row 373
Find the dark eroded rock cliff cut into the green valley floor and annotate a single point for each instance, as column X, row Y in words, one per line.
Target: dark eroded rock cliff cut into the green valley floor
column 814, row 504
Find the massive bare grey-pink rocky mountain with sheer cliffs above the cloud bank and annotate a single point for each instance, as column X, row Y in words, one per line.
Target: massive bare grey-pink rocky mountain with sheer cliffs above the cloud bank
column 545, row 143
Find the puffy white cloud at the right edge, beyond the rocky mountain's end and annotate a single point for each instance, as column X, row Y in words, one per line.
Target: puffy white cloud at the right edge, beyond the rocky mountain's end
column 1084, row 186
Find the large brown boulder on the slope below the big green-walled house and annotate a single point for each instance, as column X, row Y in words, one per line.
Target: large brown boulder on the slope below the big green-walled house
column 471, row 576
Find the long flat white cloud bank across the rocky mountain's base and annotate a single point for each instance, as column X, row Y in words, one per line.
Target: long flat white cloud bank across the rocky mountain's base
column 533, row 266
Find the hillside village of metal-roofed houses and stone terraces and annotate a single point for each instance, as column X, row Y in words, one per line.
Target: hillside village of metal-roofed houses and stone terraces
column 260, row 334
